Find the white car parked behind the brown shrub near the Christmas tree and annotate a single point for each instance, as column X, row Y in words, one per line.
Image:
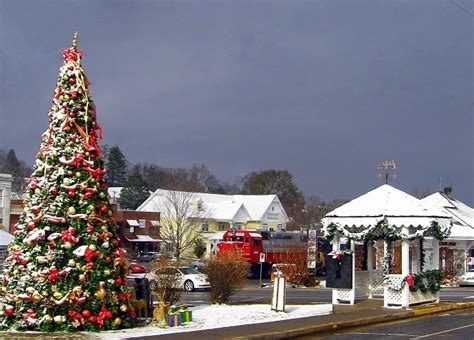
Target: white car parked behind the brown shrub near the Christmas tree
column 189, row 279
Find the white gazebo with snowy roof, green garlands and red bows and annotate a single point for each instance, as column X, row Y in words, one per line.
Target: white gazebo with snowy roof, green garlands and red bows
column 380, row 220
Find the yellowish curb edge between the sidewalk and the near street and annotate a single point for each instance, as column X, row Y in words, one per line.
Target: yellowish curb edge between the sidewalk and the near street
column 324, row 328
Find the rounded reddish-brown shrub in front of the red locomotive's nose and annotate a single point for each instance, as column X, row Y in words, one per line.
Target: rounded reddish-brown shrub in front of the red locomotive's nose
column 227, row 273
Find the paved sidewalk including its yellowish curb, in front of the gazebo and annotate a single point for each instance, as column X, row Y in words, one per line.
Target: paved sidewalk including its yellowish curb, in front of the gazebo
column 365, row 312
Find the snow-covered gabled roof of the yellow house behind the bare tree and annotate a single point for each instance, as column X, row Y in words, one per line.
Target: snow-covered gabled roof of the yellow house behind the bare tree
column 225, row 207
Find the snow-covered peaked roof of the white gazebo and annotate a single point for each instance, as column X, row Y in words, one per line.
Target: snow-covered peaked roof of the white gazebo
column 388, row 202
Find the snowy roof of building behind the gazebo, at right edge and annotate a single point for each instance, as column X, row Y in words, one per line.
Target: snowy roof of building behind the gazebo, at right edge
column 462, row 214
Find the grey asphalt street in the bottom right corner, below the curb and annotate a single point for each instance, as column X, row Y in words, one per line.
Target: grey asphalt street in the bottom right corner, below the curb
column 453, row 325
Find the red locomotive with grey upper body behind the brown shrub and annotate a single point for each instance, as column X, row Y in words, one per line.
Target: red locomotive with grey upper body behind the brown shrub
column 278, row 247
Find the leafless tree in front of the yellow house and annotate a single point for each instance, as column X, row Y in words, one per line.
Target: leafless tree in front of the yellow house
column 182, row 217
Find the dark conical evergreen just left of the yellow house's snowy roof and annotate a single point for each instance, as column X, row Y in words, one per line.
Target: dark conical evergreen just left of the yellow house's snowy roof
column 135, row 191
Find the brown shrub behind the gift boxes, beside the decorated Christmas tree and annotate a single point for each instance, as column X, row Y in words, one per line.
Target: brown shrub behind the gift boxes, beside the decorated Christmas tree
column 165, row 282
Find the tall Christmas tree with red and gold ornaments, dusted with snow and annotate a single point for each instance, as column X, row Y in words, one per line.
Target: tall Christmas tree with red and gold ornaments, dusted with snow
column 65, row 270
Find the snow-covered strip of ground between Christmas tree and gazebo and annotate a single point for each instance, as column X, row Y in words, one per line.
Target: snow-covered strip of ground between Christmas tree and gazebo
column 218, row 316
